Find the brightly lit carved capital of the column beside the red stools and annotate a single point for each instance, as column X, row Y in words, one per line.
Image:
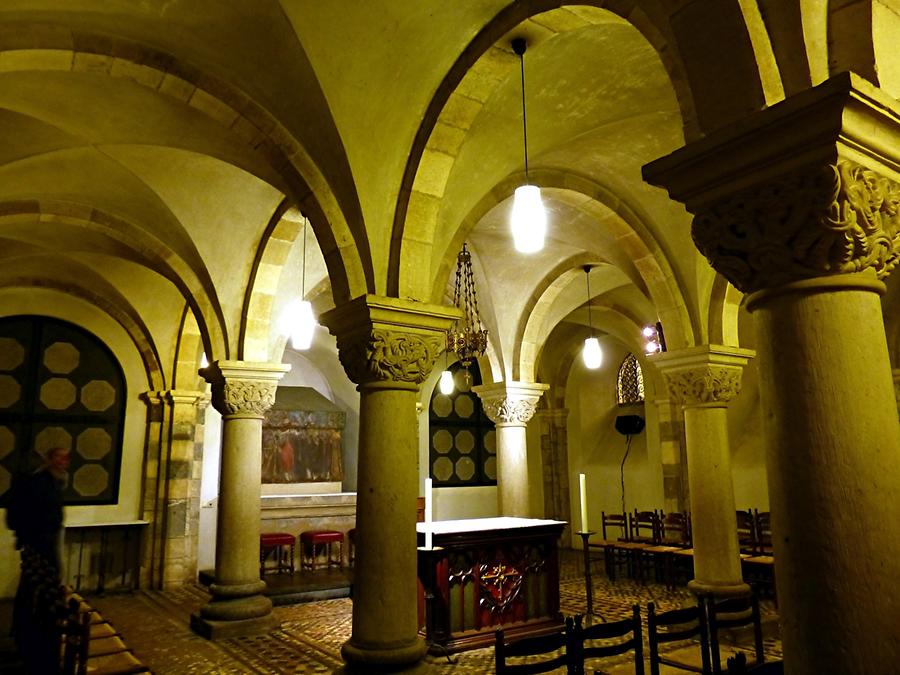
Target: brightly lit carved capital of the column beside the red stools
column 243, row 388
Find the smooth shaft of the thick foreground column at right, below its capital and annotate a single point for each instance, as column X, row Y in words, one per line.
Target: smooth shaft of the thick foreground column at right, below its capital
column 834, row 475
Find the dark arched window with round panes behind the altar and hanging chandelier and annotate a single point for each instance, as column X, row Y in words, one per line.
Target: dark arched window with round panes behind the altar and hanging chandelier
column 463, row 448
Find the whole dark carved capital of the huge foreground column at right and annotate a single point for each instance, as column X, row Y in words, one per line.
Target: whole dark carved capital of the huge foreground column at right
column 807, row 188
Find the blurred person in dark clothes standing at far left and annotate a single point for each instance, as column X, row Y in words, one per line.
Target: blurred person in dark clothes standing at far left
column 35, row 515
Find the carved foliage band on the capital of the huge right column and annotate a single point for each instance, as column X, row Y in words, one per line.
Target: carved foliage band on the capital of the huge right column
column 815, row 221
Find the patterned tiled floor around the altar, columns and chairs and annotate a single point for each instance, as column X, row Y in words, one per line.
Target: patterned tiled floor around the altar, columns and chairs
column 155, row 625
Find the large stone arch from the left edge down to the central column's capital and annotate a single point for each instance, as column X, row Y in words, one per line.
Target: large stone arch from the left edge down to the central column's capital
column 344, row 241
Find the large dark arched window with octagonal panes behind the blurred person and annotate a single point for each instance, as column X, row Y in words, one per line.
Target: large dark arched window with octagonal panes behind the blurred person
column 60, row 386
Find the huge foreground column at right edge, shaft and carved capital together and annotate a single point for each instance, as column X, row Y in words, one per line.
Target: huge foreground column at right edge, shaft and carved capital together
column 797, row 206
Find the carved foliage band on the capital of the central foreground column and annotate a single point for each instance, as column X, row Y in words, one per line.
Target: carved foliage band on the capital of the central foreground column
column 391, row 356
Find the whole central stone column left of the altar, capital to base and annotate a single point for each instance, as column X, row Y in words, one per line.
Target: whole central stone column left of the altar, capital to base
column 388, row 347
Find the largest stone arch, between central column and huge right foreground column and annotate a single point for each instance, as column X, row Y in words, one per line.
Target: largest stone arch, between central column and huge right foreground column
column 696, row 69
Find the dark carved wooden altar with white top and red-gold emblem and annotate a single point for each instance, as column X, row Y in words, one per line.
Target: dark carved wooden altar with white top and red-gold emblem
column 486, row 573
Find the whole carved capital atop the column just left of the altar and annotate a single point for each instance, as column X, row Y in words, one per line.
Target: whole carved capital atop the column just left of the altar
column 387, row 340
